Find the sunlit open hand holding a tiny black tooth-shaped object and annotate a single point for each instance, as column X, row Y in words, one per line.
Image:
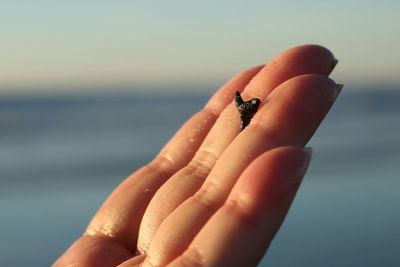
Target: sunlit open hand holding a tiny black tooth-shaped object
column 215, row 196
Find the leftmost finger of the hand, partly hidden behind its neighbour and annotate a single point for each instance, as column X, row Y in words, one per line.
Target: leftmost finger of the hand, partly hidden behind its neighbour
column 120, row 215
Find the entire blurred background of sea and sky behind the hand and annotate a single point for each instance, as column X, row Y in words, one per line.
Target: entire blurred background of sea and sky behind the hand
column 75, row 75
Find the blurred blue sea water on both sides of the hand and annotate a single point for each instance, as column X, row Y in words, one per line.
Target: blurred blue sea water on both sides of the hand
column 60, row 156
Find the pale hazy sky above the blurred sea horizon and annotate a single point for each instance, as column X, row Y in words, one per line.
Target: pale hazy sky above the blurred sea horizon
column 67, row 45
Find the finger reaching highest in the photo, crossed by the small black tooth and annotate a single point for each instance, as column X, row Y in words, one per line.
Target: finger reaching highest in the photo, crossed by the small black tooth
column 293, row 62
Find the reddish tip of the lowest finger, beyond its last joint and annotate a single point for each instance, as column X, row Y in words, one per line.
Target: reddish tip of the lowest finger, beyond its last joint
column 272, row 179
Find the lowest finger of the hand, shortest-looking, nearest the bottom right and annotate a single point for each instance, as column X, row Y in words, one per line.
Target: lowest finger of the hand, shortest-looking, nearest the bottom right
column 241, row 230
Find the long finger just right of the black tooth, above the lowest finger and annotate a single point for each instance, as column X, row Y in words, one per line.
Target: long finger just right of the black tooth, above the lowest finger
column 289, row 117
